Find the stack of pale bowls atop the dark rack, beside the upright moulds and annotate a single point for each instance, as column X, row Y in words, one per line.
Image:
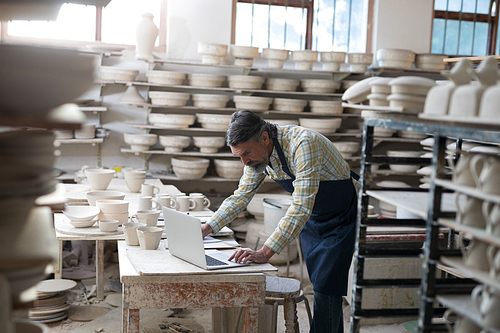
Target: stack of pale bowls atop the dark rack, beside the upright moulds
column 409, row 92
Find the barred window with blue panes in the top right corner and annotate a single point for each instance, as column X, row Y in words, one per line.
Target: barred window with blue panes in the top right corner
column 465, row 27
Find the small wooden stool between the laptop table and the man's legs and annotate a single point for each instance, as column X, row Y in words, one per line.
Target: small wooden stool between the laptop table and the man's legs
column 286, row 292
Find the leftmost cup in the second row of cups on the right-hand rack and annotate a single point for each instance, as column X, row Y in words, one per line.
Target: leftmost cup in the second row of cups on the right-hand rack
column 469, row 211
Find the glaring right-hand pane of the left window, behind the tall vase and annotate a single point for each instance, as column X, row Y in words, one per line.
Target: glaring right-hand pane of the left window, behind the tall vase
column 120, row 17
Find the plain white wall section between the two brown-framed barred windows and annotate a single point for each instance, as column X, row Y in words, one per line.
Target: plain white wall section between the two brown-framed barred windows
column 403, row 24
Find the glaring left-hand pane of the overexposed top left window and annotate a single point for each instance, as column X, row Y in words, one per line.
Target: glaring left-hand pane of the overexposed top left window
column 74, row 22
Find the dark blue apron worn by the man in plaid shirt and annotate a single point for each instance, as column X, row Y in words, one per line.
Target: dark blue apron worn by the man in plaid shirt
column 328, row 236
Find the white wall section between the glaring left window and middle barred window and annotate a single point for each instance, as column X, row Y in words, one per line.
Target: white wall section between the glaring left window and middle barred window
column 193, row 21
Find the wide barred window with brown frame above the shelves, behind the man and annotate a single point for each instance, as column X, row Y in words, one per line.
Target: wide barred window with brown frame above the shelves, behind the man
column 323, row 25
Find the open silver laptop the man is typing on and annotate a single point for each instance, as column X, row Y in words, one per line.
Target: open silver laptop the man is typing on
column 185, row 241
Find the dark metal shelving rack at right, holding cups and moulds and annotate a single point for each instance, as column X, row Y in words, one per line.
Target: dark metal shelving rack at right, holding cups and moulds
column 436, row 210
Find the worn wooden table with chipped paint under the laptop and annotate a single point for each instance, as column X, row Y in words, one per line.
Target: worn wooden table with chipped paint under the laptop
column 163, row 281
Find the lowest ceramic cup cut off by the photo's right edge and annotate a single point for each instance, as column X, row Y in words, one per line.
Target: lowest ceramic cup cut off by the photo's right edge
column 487, row 302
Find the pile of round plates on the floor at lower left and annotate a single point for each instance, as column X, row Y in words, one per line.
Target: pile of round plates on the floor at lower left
column 51, row 304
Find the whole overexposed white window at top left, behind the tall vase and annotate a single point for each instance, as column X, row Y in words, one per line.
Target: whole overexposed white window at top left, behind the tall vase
column 80, row 24
